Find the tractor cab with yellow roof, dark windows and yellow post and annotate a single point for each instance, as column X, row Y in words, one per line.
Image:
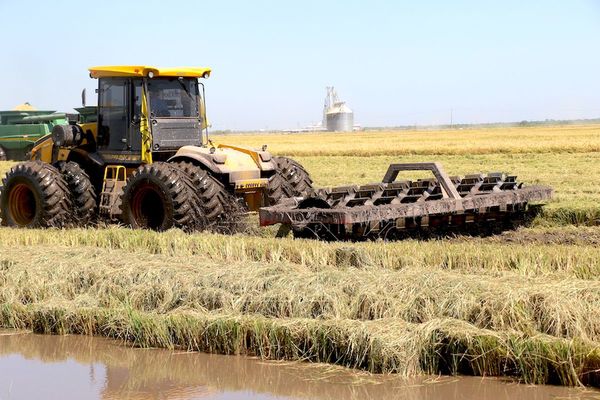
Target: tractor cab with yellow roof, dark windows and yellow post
column 147, row 111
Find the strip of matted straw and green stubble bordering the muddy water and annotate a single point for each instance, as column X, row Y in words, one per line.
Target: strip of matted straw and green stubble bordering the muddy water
column 448, row 347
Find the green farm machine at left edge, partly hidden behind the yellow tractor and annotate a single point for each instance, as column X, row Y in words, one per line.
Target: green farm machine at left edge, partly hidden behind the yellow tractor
column 22, row 126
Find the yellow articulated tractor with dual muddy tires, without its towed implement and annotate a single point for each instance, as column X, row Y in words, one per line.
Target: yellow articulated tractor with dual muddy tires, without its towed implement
column 147, row 160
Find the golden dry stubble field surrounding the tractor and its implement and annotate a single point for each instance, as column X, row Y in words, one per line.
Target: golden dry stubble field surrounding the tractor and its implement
column 524, row 304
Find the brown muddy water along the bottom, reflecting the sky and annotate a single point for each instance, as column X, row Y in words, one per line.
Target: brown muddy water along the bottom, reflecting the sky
column 77, row 367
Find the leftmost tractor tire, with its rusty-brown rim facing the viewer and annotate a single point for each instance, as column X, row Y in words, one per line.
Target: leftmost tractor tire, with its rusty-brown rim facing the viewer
column 35, row 195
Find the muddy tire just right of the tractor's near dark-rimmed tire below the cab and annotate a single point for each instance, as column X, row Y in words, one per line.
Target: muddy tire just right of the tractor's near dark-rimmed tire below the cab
column 219, row 210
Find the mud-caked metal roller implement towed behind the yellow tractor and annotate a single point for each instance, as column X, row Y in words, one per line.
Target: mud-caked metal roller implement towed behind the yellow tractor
column 393, row 209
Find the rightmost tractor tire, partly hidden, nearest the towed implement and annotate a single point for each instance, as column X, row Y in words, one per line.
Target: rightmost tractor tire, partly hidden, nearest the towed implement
column 290, row 180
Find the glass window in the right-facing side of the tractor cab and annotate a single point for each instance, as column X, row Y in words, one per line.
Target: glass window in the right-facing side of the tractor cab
column 173, row 98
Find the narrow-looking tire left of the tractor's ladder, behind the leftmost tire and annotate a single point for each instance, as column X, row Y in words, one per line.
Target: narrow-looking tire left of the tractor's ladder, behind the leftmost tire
column 81, row 190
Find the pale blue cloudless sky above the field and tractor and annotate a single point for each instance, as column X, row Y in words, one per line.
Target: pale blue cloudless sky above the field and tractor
column 394, row 62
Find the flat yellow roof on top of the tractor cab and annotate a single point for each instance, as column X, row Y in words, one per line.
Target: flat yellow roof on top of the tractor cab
column 113, row 71
